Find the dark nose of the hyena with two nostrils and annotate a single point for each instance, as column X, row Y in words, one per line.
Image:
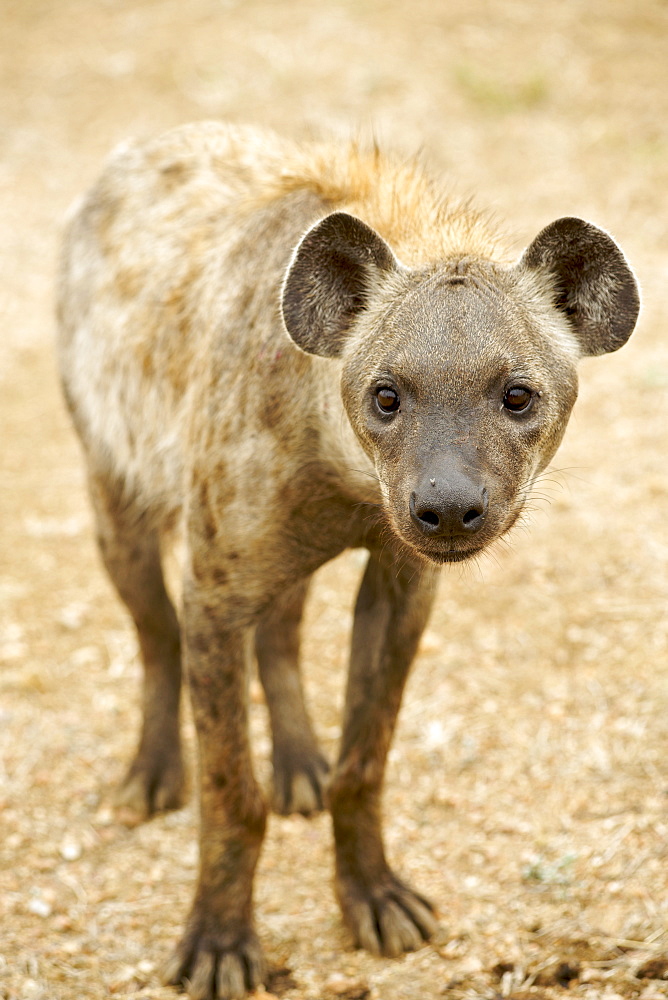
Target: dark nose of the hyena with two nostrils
column 453, row 509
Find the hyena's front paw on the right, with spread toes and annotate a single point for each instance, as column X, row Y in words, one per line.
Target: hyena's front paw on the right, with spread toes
column 387, row 918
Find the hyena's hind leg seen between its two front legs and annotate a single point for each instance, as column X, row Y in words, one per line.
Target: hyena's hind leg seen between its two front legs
column 300, row 770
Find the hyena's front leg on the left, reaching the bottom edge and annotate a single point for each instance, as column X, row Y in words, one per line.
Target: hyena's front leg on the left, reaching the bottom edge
column 220, row 955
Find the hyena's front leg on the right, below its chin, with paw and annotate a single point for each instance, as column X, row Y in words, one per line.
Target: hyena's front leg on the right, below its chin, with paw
column 385, row 915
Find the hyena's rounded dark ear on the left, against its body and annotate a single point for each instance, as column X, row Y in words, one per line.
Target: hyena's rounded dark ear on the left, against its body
column 332, row 273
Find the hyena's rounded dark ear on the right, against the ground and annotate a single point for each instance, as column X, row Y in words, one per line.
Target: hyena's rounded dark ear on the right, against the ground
column 591, row 281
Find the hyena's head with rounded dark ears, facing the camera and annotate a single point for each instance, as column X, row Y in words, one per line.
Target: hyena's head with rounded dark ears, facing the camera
column 458, row 378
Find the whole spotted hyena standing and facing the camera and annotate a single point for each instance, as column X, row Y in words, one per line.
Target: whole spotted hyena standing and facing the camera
column 288, row 351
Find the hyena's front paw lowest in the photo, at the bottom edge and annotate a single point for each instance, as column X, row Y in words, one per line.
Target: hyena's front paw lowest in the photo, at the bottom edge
column 221, row 966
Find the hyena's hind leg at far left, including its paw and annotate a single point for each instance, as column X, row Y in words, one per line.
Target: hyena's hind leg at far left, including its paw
column 130, row 548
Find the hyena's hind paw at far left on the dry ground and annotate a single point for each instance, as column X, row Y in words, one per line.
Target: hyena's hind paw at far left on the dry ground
column 154, row 783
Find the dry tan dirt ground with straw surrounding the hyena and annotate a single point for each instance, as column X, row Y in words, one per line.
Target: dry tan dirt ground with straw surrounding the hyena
column 528, row 785
